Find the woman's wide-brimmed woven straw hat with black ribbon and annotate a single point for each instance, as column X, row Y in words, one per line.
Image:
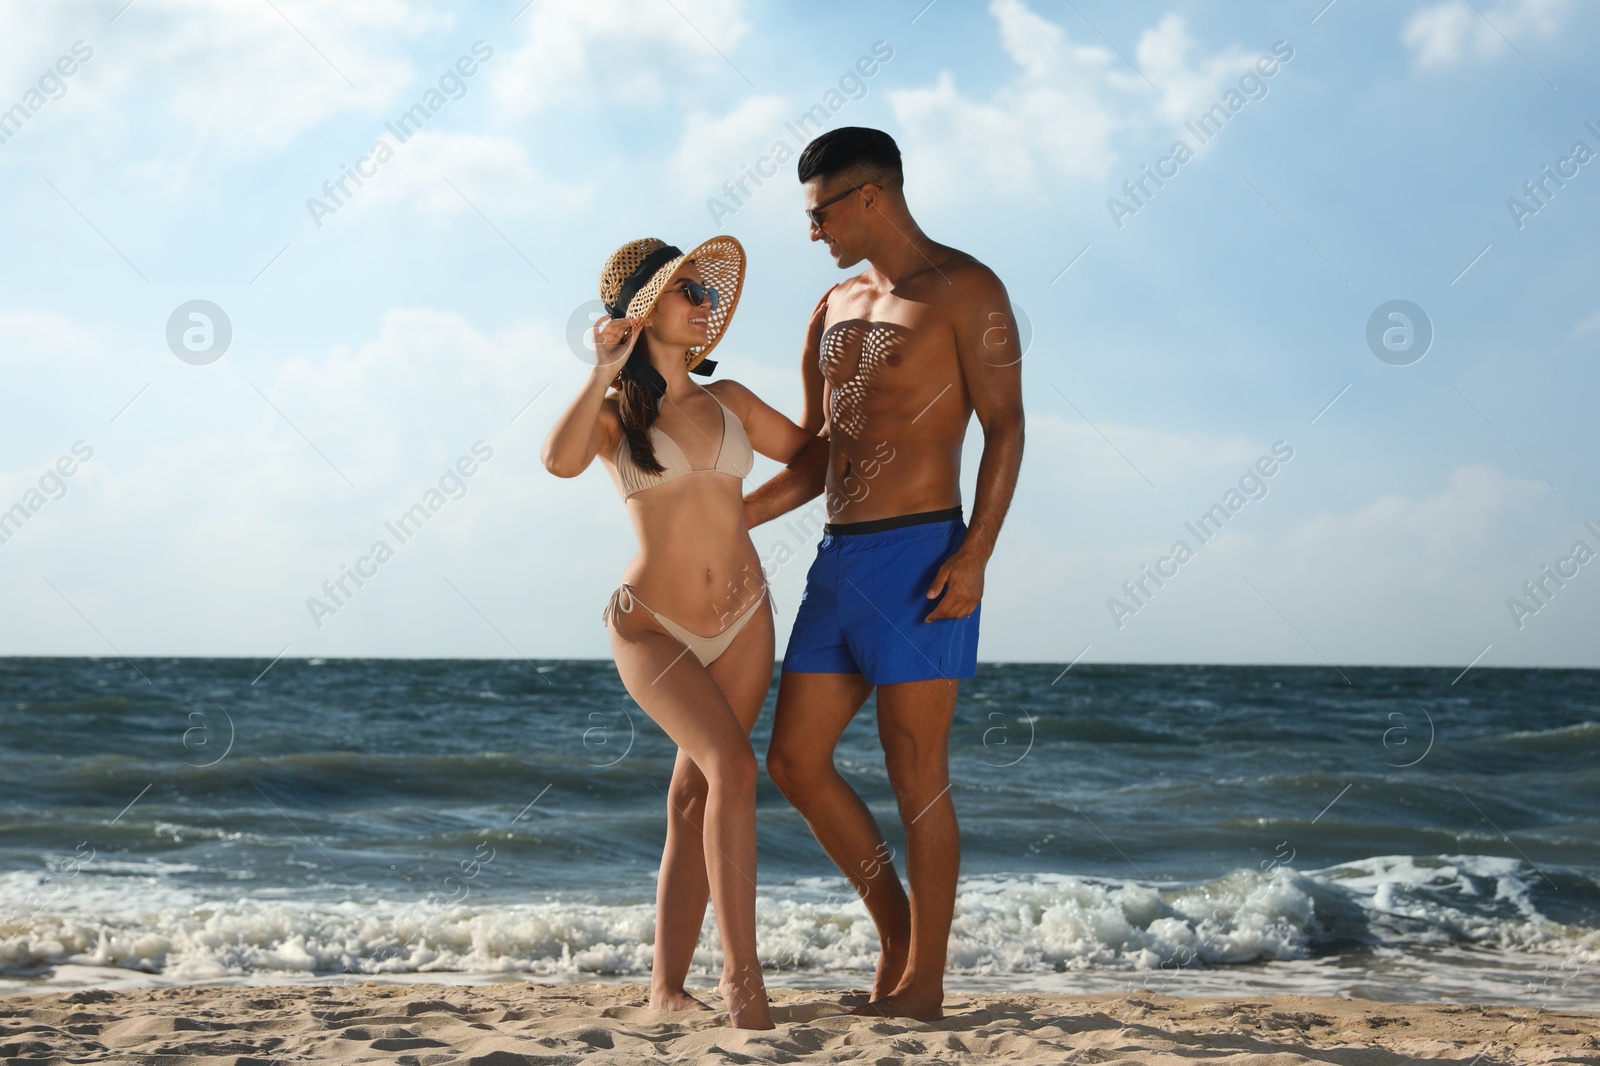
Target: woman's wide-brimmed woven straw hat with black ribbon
column 638, row 273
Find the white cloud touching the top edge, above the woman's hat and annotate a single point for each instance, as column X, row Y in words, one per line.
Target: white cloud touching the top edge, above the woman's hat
column 622, row 52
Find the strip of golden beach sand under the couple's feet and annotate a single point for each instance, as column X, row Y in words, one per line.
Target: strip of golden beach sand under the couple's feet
column 508, row 1025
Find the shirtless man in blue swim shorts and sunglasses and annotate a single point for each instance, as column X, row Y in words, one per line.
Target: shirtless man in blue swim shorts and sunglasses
column 897, row 361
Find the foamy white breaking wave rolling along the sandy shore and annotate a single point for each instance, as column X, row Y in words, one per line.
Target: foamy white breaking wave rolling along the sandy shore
column 1022, row 924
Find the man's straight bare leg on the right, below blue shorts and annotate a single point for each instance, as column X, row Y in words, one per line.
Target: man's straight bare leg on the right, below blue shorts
column 914, row 726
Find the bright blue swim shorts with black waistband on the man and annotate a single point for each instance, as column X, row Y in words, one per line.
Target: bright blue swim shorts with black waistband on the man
column 866, row 601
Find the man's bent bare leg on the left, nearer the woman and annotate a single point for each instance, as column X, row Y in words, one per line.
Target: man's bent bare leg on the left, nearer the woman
column 814, row 711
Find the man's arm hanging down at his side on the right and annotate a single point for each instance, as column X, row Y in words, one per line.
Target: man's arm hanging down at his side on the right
column 990, row 351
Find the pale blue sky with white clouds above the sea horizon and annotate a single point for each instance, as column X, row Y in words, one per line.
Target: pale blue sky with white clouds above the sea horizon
column 1372, row 275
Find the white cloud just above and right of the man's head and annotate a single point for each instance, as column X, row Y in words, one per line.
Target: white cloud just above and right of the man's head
column 1060, row 116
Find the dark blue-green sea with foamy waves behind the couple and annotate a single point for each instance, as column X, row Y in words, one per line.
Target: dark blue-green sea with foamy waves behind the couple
column 1375, row 833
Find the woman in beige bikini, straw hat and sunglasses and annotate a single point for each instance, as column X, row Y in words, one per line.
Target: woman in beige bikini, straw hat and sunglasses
column 692, row 625
